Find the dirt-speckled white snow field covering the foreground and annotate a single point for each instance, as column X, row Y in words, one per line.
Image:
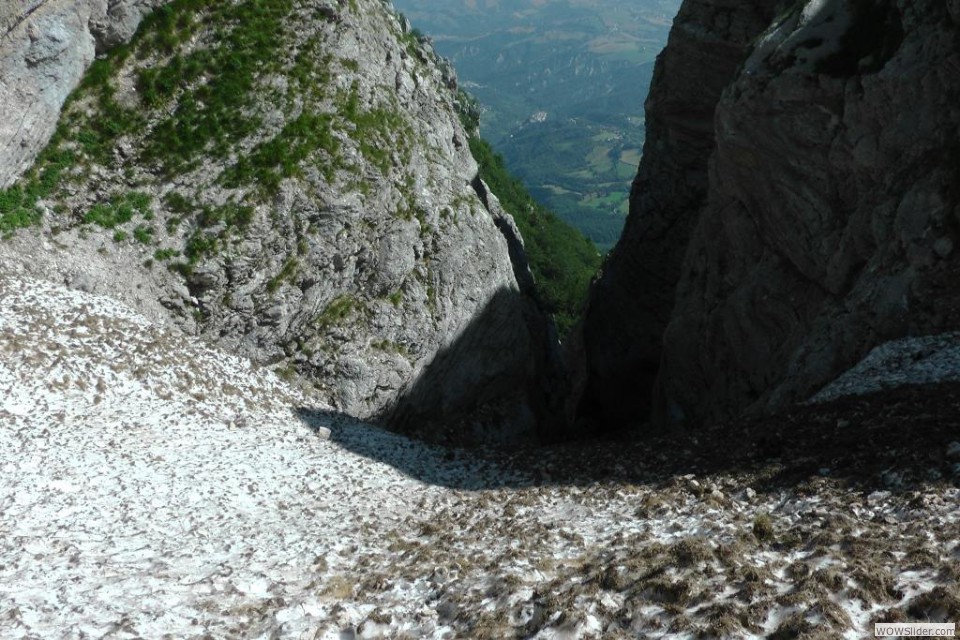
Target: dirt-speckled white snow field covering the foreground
column 153, row 487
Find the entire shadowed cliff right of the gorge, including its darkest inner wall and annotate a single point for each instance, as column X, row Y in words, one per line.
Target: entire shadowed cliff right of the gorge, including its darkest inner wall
column 801, row 209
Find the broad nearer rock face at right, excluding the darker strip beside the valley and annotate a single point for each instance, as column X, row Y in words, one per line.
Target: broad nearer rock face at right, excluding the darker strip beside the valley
column 833, row 183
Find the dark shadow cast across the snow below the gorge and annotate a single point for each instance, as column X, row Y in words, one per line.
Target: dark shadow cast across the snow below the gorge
column 895, row 440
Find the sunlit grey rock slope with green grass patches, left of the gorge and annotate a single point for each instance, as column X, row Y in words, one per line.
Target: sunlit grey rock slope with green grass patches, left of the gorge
column 291, row 180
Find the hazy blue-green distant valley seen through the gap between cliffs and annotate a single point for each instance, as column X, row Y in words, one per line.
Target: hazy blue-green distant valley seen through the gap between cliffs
column 562, row 83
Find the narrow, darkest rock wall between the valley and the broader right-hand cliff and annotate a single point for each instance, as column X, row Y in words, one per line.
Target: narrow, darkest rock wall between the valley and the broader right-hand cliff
column 632, row 301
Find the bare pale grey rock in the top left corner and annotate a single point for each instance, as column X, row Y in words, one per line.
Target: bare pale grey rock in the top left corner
column 45, row 47
